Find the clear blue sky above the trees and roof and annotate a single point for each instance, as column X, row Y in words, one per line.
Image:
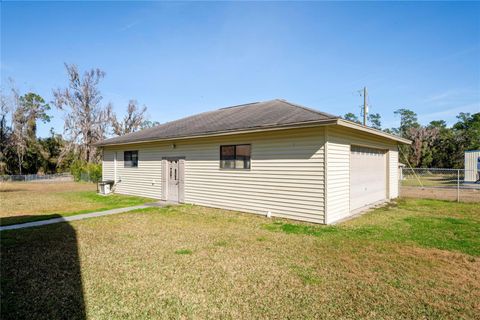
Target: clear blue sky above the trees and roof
column 183, row 58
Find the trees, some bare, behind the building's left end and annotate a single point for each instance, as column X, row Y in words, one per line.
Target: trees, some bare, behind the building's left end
column 87, row 120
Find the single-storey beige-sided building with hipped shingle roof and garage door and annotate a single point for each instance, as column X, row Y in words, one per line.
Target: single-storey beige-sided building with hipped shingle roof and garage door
column 271, row 158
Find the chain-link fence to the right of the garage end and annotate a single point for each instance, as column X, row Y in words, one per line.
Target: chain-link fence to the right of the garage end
column 444, row 184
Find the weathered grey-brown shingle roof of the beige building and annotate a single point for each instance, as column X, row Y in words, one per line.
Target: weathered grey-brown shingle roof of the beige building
column 256, row 115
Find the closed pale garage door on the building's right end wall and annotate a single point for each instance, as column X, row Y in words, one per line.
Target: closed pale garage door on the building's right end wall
column 368, row 176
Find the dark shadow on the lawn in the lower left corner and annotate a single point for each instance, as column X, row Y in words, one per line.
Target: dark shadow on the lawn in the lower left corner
column 40, row 273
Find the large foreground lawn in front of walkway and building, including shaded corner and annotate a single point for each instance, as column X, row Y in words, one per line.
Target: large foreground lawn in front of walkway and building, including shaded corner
column 410, row 260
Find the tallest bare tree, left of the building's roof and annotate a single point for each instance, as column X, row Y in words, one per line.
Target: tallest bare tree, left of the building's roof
column 86, row 120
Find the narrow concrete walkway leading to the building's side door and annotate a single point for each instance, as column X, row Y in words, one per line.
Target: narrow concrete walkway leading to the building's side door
column 79, row 216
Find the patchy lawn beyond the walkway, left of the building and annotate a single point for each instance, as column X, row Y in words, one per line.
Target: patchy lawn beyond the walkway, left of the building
column 26, row 202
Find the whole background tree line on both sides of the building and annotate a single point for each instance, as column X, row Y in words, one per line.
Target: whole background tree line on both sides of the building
column 87, row 120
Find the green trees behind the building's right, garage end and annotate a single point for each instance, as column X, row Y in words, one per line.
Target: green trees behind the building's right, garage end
column 435, row 145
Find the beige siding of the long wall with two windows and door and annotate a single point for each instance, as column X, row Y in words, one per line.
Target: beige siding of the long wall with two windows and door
column 286, row 175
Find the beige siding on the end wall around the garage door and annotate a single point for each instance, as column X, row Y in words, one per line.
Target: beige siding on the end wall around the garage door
column 338, row 142
